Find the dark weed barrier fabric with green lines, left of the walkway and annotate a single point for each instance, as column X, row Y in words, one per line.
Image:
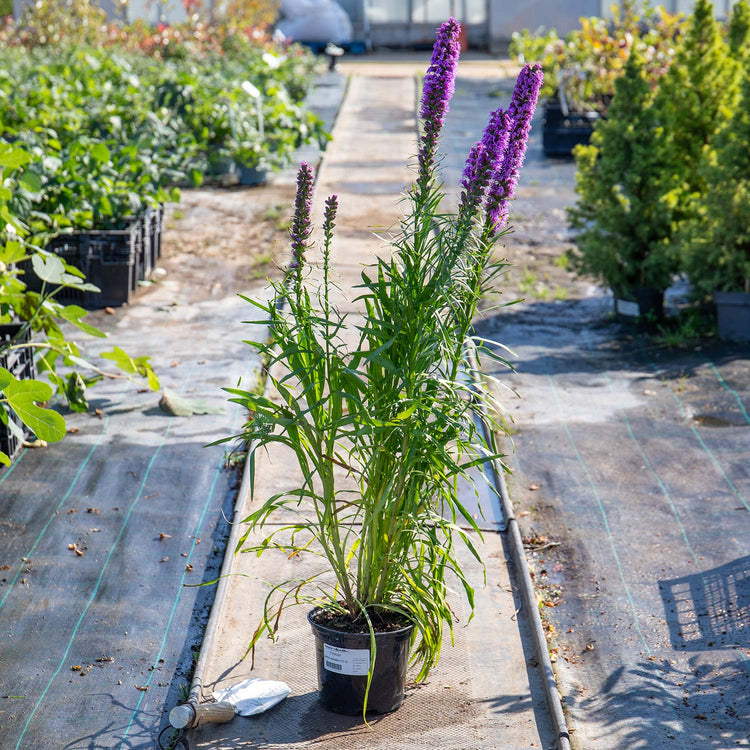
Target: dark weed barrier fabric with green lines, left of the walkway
column 102, row 532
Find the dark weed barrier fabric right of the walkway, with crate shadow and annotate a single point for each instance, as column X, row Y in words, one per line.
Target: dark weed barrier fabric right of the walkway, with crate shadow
column 650, row 507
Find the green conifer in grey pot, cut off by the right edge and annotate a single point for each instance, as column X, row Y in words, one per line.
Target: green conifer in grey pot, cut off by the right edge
column 717, row 240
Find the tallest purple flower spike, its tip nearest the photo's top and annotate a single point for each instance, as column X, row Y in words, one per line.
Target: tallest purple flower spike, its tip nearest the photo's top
column 439, row 85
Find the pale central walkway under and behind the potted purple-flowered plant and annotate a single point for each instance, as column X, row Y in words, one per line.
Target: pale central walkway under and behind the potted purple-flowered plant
column 485, row 691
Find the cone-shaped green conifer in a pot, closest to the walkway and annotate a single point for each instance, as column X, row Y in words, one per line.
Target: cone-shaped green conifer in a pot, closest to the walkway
column 624, row 211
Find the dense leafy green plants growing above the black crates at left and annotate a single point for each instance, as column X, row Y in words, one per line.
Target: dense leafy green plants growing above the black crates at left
column 111, row 132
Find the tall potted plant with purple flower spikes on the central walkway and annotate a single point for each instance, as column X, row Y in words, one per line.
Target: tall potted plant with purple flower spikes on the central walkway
column 383, row 430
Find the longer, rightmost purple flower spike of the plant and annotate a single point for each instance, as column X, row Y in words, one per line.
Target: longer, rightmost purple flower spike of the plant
column 520, row 112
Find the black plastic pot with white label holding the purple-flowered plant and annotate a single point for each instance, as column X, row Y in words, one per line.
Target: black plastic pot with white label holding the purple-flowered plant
column 343, row 662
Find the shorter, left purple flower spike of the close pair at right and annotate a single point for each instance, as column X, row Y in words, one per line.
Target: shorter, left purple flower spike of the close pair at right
column 484, row 159
